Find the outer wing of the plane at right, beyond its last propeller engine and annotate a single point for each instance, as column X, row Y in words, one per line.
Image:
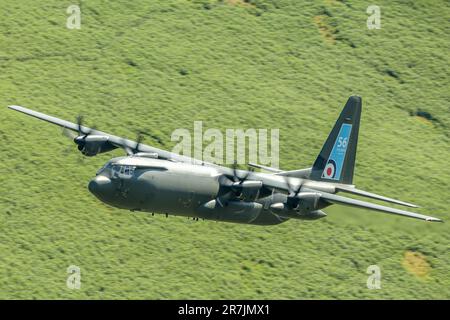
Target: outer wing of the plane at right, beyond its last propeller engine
column 332, row 198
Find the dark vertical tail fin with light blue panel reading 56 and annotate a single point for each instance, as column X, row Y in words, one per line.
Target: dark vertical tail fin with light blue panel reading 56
column 336, row 160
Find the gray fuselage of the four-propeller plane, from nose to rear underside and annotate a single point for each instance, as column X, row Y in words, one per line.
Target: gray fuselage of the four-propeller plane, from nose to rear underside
column 161, row 186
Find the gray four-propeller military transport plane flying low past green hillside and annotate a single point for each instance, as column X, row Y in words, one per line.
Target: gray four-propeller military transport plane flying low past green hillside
column 153, row 180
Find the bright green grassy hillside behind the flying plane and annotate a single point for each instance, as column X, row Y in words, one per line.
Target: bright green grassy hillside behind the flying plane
column 158, row 66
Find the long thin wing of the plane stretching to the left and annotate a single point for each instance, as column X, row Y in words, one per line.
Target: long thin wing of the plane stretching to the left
column 114, row 140
